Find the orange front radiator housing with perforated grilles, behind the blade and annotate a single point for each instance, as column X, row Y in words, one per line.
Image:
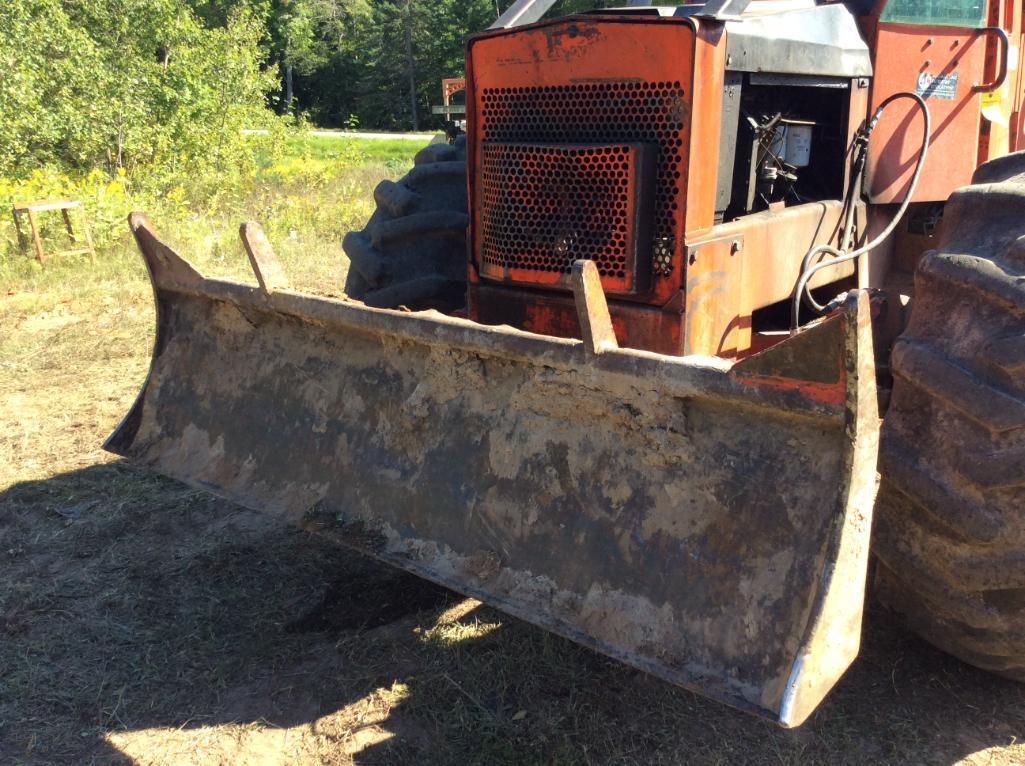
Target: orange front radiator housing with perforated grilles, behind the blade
column 617, row 88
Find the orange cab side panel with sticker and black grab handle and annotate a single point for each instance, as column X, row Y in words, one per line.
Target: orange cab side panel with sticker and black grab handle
column 956, row 66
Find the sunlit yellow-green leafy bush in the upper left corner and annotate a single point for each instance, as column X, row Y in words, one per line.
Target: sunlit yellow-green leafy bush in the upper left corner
column 137, row 87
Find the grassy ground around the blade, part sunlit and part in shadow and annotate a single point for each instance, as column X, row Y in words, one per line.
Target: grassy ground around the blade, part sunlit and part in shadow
column 142, row 622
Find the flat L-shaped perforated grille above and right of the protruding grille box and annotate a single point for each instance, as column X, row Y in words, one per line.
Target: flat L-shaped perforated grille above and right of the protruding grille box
column 599, row 113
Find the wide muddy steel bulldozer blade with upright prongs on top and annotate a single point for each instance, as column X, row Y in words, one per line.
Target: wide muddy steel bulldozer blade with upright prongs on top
column 705, row 521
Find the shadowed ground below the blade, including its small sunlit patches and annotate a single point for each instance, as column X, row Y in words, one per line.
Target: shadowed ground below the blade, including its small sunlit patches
column 132, row 604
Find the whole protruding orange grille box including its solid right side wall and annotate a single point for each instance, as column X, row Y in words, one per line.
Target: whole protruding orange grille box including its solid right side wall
column 545, row 207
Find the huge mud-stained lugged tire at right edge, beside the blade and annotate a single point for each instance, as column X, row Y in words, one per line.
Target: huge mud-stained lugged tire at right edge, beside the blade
column 951, row 517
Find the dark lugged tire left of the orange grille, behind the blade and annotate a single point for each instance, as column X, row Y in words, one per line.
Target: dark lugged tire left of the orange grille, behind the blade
column 414, row 250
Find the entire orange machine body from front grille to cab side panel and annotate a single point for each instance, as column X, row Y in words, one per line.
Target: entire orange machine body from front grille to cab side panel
column 602, row 137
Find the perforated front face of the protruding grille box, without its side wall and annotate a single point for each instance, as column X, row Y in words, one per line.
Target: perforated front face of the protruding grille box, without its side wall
column 544, row 207
